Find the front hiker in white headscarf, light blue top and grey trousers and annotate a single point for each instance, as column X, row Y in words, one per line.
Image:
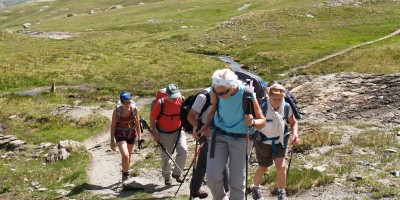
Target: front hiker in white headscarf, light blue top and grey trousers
column 232, row 133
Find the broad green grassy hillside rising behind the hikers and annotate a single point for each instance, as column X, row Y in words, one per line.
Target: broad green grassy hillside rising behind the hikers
column 122, row 49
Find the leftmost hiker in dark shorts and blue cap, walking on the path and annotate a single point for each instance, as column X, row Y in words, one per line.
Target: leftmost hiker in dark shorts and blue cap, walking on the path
column 125, row 128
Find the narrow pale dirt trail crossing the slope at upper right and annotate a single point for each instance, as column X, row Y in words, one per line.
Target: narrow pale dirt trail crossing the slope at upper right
column 344, row 51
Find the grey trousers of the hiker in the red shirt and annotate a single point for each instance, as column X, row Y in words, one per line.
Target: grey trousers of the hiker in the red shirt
column 168, row 140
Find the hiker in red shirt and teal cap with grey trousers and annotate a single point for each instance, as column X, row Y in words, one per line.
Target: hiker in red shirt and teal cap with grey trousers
column 166, row 128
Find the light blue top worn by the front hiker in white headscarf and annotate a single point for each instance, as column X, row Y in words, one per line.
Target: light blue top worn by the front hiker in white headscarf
column 232, row 114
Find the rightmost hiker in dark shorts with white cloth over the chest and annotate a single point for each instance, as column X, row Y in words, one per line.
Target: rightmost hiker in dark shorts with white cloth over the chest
column 272, row 141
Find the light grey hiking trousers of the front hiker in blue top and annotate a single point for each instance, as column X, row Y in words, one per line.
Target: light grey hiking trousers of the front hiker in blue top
column 234, row 150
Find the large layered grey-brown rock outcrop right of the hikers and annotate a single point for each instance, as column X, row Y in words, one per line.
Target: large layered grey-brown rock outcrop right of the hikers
column 348, row 96
